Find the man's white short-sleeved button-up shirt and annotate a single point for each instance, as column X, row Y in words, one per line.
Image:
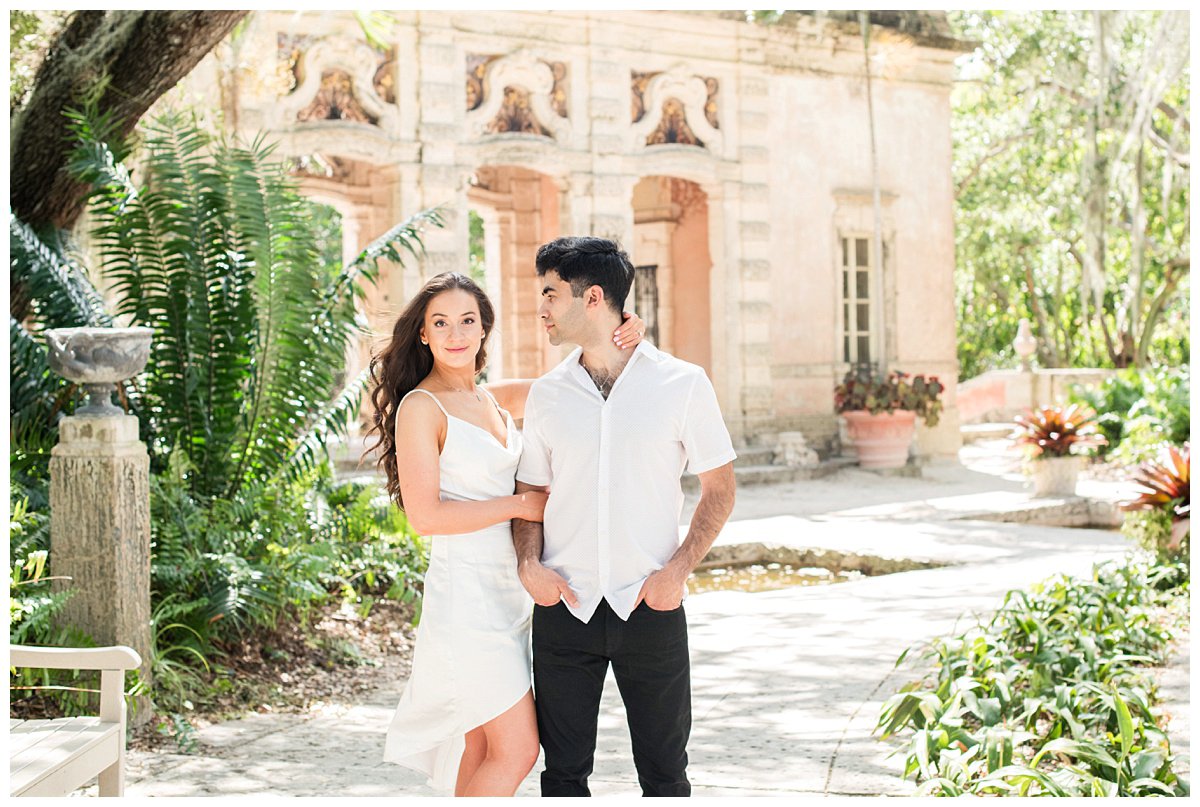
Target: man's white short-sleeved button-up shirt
column 614, row 469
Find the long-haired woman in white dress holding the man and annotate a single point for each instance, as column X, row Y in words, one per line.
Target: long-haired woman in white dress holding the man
column 467, row 718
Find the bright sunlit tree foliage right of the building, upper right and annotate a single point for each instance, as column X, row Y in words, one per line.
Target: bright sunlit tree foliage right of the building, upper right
column 1037, row 128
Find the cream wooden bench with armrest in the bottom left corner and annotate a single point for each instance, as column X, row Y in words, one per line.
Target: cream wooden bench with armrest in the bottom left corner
column 52, row 758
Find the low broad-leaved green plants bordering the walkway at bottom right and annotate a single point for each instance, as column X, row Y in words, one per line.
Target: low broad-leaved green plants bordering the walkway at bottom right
column 1051, row 697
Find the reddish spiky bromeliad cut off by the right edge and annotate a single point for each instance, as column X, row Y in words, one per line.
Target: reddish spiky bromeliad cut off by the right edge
column 1161, row 517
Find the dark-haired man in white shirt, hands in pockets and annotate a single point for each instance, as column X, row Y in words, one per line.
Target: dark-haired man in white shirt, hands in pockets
column 608, row 434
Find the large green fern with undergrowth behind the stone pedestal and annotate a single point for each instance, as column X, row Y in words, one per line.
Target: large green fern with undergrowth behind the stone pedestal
column 214, row 250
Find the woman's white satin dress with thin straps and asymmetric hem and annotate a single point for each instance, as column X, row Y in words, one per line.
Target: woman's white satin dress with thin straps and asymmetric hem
column 472, row 657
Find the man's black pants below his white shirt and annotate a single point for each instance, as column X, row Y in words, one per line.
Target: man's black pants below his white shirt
column 650, row 661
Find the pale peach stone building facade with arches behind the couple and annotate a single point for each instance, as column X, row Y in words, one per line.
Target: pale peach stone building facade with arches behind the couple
column 733, row 160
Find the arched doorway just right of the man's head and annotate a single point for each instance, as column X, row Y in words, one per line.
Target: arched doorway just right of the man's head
column 673, row 266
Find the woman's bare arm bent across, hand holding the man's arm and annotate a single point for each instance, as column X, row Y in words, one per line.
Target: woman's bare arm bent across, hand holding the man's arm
column 421, row 429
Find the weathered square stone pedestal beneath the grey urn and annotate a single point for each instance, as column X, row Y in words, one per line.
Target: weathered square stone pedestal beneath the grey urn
column 100, row 533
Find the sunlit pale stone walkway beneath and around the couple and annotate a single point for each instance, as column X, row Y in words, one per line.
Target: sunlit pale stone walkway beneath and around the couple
column 788, row 685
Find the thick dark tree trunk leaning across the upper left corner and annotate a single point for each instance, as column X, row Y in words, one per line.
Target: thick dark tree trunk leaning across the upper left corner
column 142, row 53
